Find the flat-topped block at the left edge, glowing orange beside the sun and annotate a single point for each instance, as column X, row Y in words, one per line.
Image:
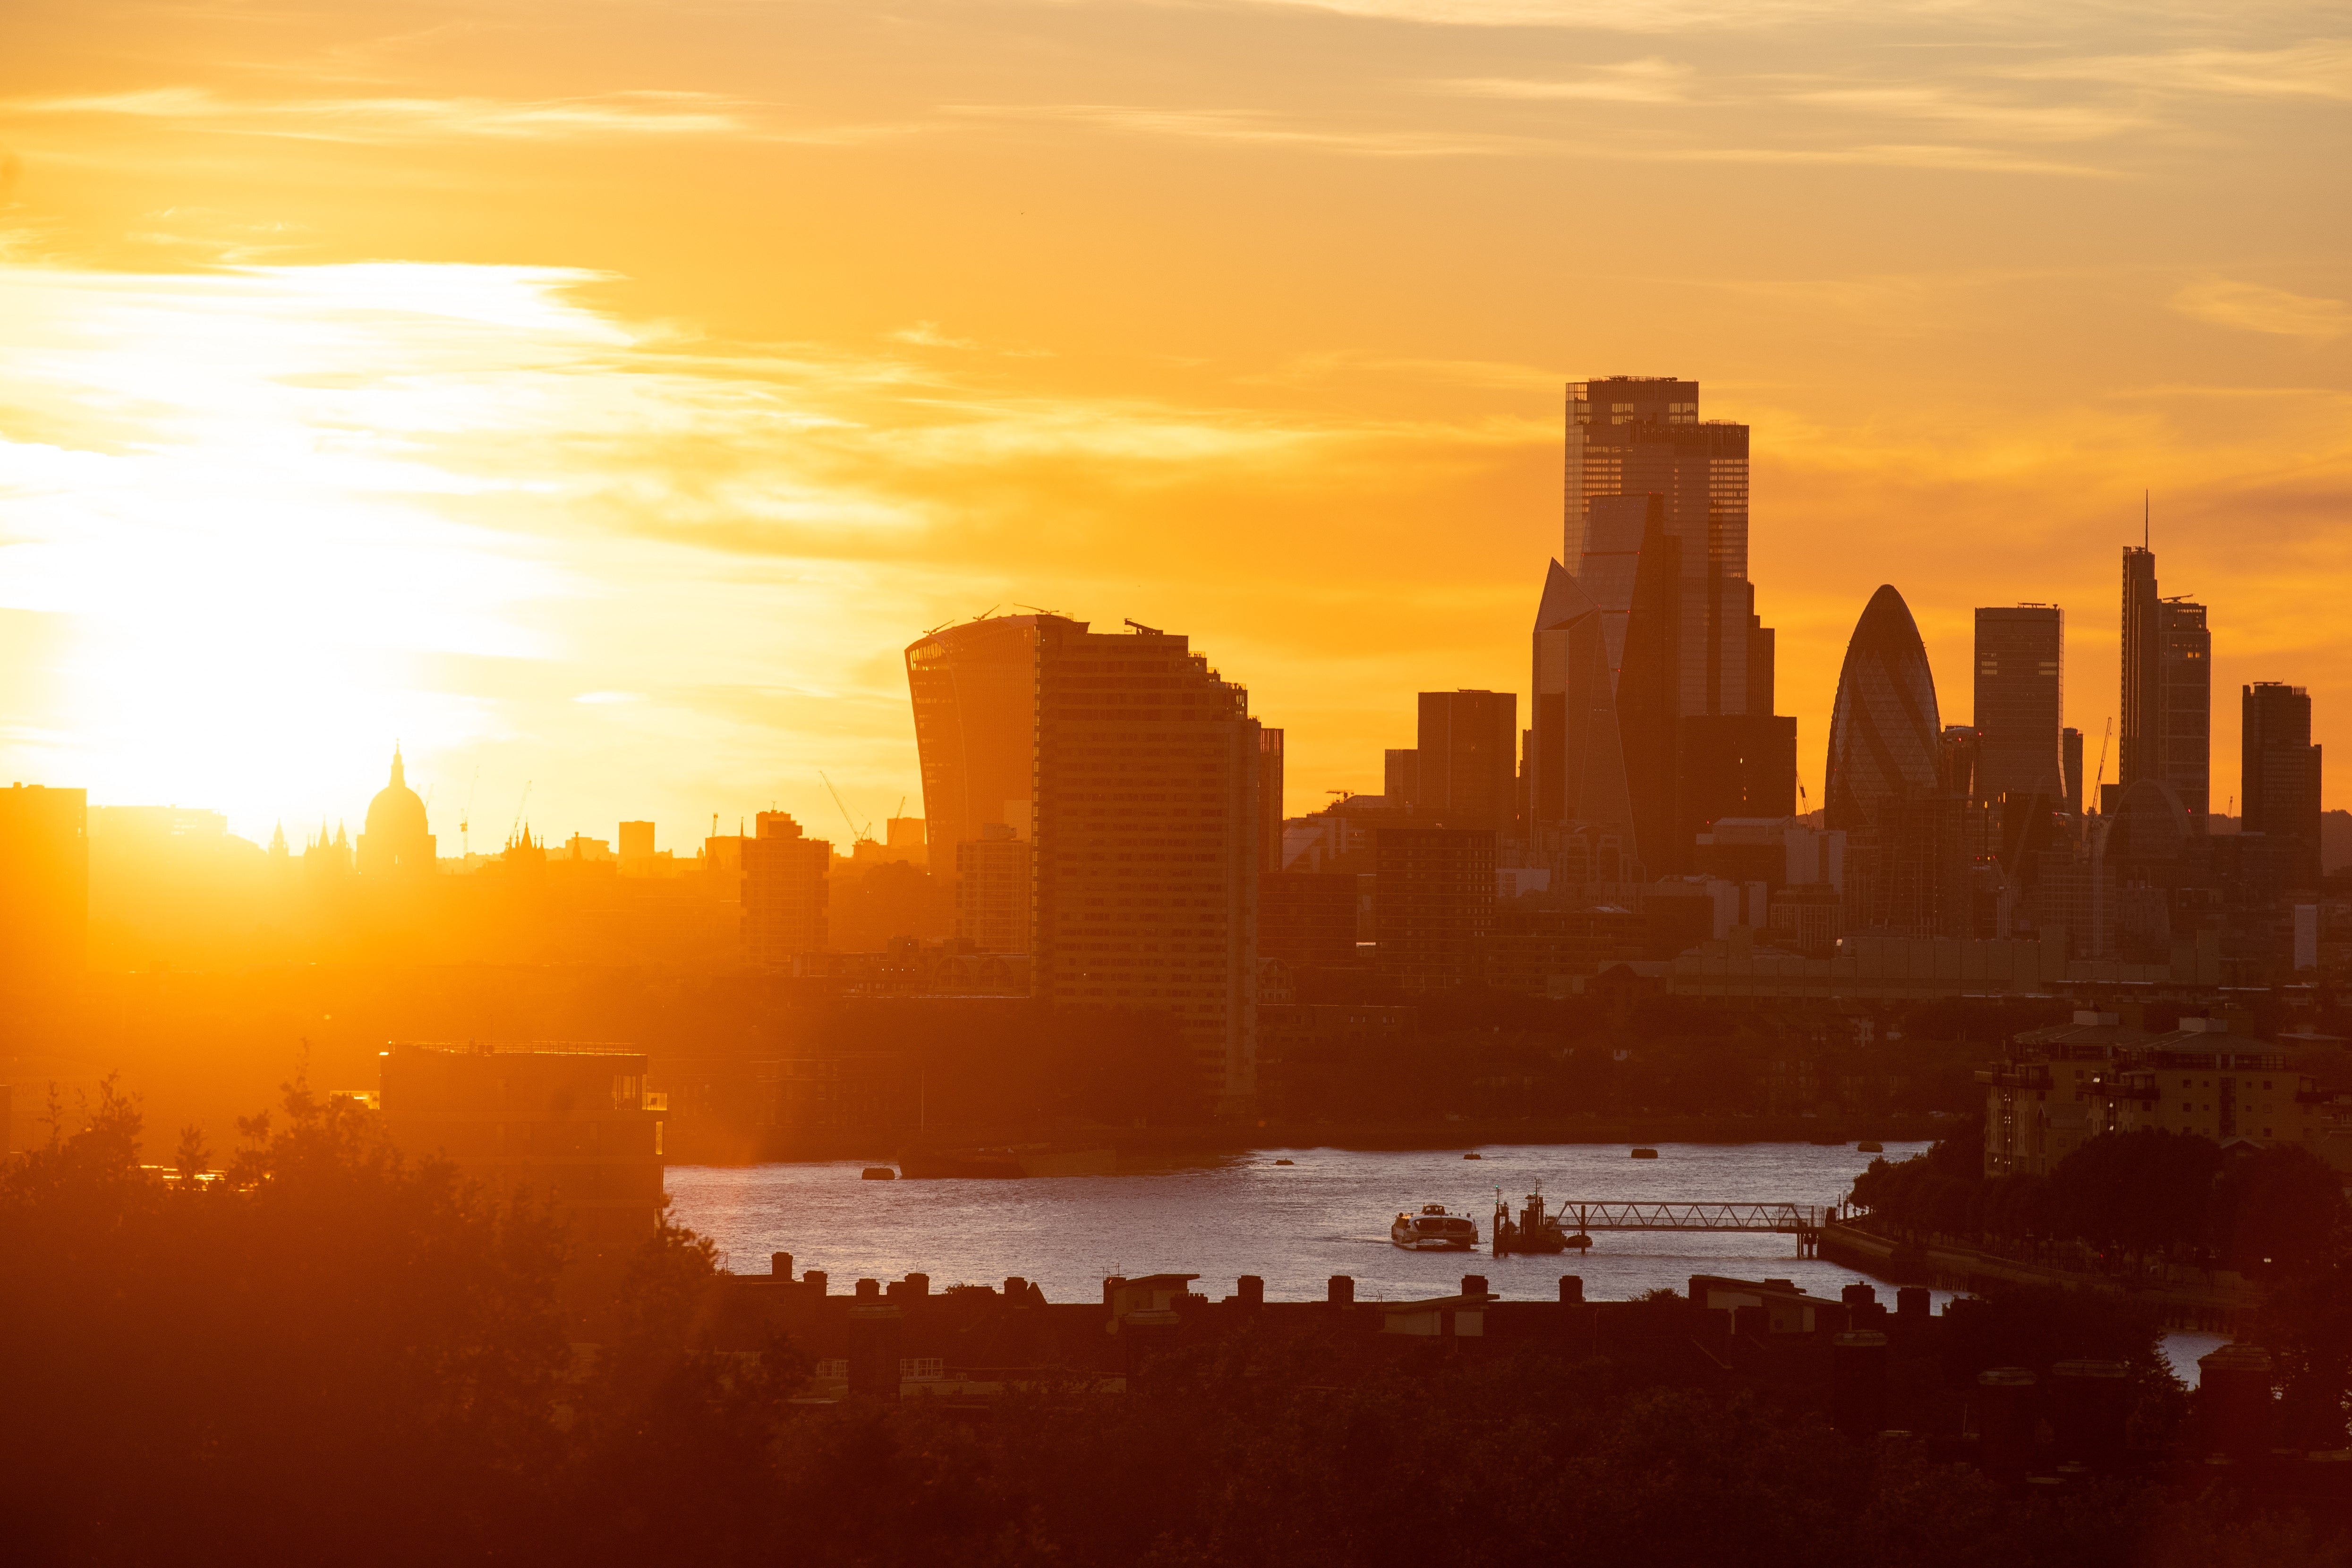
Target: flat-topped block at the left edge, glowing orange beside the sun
column 44, row 897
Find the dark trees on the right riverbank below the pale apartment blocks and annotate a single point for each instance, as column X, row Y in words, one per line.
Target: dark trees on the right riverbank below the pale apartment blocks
column 2151, row 1198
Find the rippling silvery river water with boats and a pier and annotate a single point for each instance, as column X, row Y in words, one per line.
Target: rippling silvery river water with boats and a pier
column 1295, row 1226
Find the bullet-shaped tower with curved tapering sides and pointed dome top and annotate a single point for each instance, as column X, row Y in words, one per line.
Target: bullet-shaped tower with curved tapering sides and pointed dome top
column 1887, row 782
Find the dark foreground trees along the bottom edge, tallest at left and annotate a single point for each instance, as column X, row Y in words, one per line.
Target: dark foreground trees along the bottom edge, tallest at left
column 340, row 1355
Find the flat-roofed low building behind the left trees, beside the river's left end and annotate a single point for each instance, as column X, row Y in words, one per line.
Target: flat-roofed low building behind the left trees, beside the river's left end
column 570, row 1125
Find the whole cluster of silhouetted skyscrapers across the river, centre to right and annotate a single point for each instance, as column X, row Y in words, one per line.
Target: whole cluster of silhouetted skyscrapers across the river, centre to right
column 1111, row 808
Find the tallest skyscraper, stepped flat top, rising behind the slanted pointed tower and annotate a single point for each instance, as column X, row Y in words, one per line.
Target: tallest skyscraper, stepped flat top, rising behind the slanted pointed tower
column 1631, row 436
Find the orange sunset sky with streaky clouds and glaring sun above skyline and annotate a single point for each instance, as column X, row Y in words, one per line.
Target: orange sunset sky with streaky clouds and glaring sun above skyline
column 601, row 394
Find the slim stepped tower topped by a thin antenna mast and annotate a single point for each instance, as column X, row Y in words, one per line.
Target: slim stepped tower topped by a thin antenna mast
column 2167, row 662
